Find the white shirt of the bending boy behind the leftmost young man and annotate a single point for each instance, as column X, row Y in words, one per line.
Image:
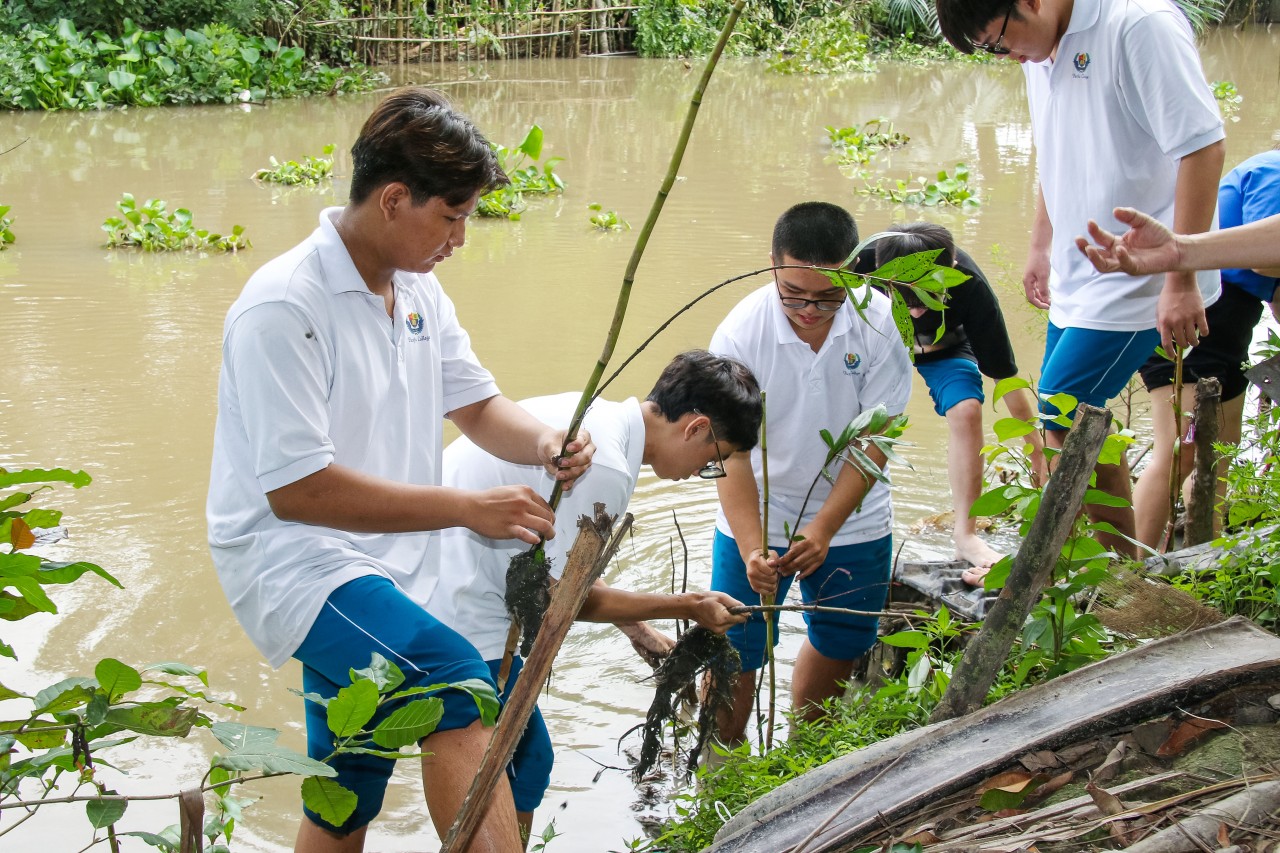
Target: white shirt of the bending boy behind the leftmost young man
column 472, row 595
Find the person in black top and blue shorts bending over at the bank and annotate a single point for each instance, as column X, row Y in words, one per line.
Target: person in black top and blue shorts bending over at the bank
column 953, row 367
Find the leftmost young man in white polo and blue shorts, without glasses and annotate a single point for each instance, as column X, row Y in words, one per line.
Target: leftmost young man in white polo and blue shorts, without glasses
column 340, row 362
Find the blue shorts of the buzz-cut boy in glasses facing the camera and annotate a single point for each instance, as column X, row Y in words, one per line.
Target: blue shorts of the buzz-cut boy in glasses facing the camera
column 853, row 577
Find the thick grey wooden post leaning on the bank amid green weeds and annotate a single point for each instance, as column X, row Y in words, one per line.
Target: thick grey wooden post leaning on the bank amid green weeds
column 1032, row 568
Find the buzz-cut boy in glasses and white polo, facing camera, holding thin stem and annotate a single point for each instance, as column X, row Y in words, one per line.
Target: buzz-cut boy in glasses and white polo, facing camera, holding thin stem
column 821, row 366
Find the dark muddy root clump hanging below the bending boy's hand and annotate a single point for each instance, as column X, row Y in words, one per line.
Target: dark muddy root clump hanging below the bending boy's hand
column 698, row 651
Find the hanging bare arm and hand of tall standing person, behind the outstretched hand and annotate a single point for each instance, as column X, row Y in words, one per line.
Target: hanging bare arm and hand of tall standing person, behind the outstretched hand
column 1181, row 311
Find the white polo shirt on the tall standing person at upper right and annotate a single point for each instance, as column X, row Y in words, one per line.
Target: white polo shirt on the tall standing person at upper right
column 1112, row 117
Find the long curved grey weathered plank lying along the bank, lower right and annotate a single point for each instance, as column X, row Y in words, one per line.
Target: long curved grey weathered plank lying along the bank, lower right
column 943, row 759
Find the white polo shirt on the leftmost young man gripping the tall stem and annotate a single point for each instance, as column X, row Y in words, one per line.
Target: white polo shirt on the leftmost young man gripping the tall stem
column 314, row 372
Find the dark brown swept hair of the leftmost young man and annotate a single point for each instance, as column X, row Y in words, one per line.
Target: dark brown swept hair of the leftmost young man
column 414, row 136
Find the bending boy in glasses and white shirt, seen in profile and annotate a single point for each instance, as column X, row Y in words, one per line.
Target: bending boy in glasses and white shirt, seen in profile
column 703, row 412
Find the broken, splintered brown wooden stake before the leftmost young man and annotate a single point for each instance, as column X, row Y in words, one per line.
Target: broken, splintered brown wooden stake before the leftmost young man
column 592, row 553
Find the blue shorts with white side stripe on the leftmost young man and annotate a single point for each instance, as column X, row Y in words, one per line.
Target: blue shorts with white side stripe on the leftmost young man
column 372, row 615
